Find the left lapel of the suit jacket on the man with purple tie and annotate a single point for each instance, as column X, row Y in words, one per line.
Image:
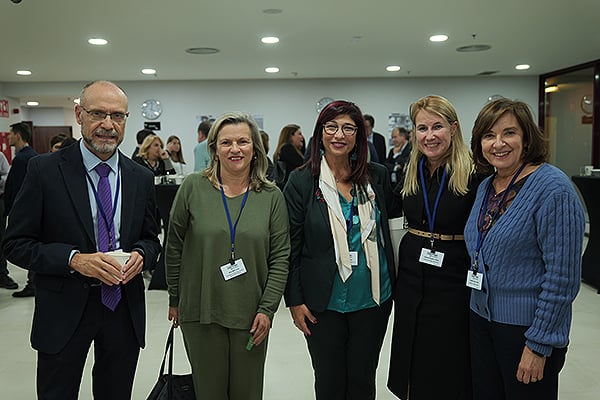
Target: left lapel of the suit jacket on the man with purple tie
column 73, row 173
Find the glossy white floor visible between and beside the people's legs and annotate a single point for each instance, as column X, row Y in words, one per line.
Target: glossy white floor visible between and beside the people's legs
column 288, row 370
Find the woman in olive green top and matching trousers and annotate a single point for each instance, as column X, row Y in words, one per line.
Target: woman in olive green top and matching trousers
column 227, row 262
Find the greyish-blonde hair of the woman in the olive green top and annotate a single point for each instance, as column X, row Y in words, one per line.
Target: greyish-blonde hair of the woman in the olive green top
column 258, row 168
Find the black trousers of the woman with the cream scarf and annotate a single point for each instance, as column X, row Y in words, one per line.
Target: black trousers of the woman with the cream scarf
column 344, row 349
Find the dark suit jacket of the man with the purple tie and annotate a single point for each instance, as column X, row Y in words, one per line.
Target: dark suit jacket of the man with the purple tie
column 51, row 217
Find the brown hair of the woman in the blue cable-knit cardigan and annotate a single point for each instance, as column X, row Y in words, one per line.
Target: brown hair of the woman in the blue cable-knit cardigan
column 535, row 143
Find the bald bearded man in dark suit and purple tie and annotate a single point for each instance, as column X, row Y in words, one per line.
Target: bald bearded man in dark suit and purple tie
column 75, row 205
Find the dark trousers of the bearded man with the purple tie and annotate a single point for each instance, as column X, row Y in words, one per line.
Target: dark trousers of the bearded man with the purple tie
column 116, row 352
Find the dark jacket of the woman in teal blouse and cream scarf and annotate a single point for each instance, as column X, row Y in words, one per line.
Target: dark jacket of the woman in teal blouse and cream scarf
column 312, row 258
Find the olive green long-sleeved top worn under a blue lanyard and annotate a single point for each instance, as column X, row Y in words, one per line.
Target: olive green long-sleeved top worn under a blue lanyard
column 199, row 244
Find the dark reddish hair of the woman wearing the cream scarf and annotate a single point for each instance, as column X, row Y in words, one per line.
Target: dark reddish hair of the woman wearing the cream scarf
column 358, row 156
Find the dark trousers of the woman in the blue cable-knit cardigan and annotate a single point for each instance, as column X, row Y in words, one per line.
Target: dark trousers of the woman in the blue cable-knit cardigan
column 496, row 350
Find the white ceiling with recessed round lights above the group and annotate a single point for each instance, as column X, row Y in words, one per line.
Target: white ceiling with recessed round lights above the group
column 319, row 39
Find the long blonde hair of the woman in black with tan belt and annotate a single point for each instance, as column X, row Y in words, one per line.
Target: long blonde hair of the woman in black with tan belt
column 459, row 164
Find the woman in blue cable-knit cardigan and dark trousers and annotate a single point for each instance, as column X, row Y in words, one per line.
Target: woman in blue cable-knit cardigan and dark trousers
column 525, row 236
